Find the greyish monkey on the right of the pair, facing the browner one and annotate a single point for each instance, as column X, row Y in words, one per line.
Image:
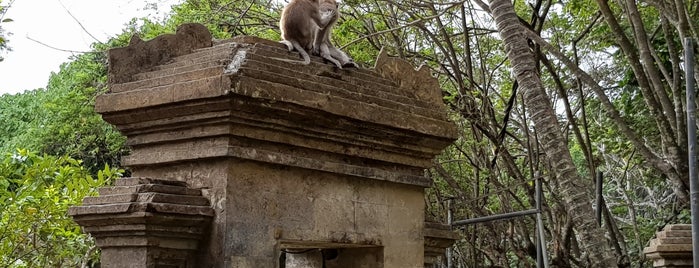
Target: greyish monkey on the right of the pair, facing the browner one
column 329, row 16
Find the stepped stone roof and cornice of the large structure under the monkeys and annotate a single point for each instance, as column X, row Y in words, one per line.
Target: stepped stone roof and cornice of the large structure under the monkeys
column 352, row 122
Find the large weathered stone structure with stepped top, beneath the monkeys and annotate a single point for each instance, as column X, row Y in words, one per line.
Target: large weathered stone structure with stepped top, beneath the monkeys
column 302, row 165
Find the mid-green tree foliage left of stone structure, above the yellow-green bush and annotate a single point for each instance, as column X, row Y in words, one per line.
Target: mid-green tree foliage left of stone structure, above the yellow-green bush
column 60, row 120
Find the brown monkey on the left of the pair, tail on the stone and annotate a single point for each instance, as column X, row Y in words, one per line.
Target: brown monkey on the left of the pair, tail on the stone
column 300, row 23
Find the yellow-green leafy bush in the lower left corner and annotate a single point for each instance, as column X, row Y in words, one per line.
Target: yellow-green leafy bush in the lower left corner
column 36, row 192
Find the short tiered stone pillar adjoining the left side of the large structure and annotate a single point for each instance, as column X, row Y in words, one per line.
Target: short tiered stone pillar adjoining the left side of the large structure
column 143, row 222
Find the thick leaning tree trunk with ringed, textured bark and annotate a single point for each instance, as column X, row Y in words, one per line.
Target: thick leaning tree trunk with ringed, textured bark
column 574, row 188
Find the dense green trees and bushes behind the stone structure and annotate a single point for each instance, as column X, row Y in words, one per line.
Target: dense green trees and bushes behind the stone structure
column 612, row 74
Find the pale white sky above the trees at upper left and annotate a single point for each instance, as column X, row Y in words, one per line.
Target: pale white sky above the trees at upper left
column 29, row 64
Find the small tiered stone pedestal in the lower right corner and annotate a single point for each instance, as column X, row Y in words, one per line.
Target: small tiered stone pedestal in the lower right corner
column 671, row 247
